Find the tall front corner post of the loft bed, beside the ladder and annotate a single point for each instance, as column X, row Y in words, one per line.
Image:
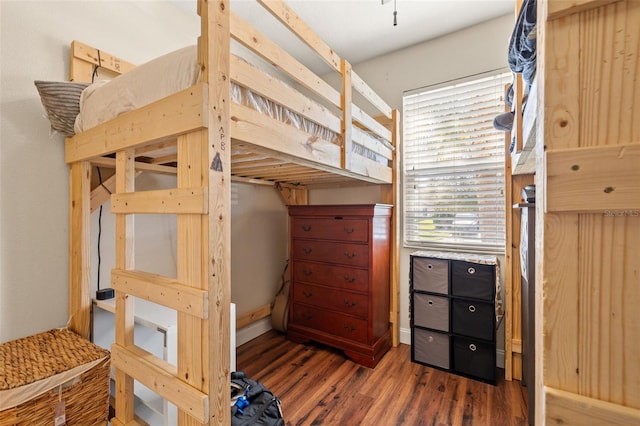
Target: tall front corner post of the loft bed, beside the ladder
column 215, row 42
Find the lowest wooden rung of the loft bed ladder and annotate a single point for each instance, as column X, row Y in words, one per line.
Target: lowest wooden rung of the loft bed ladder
column 160, row 377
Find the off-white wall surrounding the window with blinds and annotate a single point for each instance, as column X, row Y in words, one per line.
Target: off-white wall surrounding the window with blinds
column 471, row 51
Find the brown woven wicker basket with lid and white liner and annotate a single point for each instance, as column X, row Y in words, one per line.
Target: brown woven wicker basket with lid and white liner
column 49, row 360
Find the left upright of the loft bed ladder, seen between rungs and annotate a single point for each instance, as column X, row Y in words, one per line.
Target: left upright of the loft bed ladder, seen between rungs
column 124, row 259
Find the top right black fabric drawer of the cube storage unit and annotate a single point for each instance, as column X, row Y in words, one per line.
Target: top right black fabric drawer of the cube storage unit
column 472, row 280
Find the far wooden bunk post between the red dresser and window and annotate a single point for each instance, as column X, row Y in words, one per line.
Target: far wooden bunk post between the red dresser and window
column 390, row 195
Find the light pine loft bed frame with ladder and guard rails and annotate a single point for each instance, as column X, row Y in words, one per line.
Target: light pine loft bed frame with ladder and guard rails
column 208, row 142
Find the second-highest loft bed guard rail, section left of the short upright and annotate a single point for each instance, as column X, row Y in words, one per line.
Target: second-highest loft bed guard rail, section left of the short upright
column 252, row 39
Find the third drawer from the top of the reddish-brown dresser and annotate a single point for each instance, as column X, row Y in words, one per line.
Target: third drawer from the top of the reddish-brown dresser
column 336, row 276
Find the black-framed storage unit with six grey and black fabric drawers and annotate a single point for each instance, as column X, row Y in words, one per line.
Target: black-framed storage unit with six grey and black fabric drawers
column 453, row 322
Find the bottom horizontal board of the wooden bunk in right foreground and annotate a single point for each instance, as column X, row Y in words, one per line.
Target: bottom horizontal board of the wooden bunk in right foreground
column 565, row 408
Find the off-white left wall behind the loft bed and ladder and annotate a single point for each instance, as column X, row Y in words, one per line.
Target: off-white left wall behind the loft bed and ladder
column 35, row 38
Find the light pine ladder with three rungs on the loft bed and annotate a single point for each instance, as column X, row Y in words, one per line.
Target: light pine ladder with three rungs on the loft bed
column 185, row 386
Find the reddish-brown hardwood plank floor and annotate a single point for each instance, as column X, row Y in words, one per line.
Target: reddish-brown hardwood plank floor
column 320, row 386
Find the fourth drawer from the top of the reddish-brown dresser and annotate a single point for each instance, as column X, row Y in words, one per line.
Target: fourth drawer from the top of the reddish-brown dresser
column 334, row 299
